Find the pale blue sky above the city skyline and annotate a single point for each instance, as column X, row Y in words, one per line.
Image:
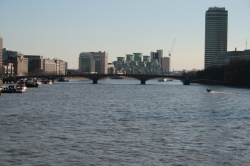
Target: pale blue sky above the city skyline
column 64, row 28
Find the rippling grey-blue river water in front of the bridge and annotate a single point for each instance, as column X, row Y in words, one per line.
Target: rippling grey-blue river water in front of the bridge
column 120, row 122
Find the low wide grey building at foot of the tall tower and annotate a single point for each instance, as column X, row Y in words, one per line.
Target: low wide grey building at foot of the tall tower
column 224, row 58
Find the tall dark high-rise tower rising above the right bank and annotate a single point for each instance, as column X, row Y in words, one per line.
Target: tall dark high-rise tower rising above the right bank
column 215, row 33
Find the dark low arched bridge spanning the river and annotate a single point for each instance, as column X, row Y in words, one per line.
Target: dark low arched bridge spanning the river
column 95, row 77
